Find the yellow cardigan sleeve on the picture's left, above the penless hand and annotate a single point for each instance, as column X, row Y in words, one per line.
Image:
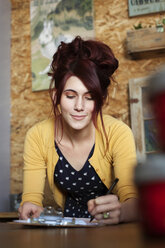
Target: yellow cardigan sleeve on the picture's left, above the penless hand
column 34, row 171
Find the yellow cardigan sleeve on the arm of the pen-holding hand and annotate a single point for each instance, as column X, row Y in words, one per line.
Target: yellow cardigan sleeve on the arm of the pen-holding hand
column 124, row 161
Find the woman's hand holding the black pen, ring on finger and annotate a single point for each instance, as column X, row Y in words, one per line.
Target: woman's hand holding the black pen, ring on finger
column 106, row 209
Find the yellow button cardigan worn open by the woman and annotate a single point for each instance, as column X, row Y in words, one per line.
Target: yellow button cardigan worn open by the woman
column 40, row 159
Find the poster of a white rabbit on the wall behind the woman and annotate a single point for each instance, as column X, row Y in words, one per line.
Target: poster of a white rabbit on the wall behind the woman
column 53, row 21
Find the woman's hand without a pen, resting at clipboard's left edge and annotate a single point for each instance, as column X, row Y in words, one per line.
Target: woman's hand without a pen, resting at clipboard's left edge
column 28, row 210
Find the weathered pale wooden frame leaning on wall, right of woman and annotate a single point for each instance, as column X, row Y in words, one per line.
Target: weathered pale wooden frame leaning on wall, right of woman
column 142, row 119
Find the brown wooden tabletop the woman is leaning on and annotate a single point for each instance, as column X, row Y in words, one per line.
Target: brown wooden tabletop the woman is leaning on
column 118, row 236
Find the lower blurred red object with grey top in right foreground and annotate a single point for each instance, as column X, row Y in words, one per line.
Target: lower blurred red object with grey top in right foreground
column 150, row 180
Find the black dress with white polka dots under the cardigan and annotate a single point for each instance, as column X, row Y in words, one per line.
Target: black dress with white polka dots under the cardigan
column 80, row 186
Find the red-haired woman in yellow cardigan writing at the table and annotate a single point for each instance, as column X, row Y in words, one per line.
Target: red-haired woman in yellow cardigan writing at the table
column 81, row 150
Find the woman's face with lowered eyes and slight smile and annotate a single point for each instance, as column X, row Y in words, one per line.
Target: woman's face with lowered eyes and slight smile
column 76, row 104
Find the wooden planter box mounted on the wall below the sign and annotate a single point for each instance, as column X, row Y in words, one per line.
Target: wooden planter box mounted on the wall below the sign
column 146, row 40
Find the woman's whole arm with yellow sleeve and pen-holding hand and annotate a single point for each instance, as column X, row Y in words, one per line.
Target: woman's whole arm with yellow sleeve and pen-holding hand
column 121, row 207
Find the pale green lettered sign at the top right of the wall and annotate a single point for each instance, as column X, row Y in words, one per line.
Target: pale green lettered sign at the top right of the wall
column 143, row 7
